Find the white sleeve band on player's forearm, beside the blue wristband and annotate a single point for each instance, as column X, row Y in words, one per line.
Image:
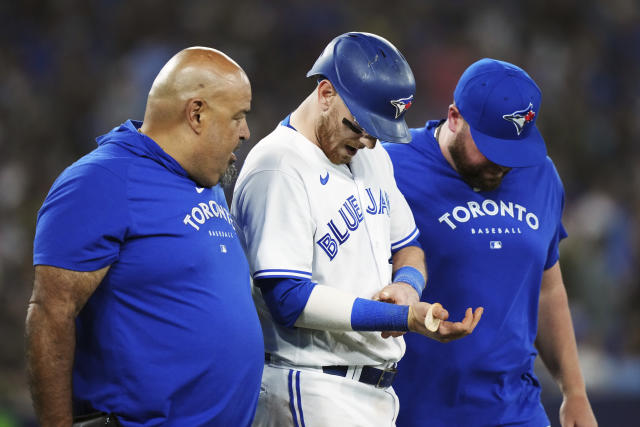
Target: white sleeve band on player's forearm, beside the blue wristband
column 327, row 309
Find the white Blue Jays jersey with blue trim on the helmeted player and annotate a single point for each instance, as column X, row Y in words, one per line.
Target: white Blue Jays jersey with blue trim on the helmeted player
column 301, row 216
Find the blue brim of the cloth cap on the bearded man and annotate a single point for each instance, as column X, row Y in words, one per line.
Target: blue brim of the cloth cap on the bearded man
column 513, row 153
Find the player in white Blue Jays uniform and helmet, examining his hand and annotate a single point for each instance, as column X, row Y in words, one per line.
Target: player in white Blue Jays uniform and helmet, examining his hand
column 325, row 230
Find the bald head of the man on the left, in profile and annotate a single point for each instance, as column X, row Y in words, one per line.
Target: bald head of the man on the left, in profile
column 196, row 112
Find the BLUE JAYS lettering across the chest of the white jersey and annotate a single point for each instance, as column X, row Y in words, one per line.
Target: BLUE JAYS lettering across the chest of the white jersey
column 351, row 214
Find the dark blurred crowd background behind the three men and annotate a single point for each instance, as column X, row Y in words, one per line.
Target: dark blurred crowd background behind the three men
column 72, row 70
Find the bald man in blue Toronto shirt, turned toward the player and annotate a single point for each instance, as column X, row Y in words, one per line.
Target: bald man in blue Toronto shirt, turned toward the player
column 141, row 307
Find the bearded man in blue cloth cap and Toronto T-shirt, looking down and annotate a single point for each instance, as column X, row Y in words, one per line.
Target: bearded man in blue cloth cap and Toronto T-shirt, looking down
column 489, row 203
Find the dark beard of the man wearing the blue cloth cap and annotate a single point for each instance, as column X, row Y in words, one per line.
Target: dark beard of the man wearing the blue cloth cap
column 474, row 175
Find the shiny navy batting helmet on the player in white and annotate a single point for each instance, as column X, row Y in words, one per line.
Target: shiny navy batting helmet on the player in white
column 374, row 81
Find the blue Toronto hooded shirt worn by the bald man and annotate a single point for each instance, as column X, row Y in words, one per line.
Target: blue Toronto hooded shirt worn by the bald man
column 171, row 336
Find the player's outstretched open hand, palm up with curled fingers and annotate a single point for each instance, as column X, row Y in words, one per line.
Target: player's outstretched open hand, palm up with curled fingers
column 447, row 331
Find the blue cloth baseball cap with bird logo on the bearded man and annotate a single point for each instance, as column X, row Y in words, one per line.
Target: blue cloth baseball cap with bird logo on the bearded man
column 501, row 103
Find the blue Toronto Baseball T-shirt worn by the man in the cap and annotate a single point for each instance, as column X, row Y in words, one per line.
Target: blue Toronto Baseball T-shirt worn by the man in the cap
column 485, row 249
